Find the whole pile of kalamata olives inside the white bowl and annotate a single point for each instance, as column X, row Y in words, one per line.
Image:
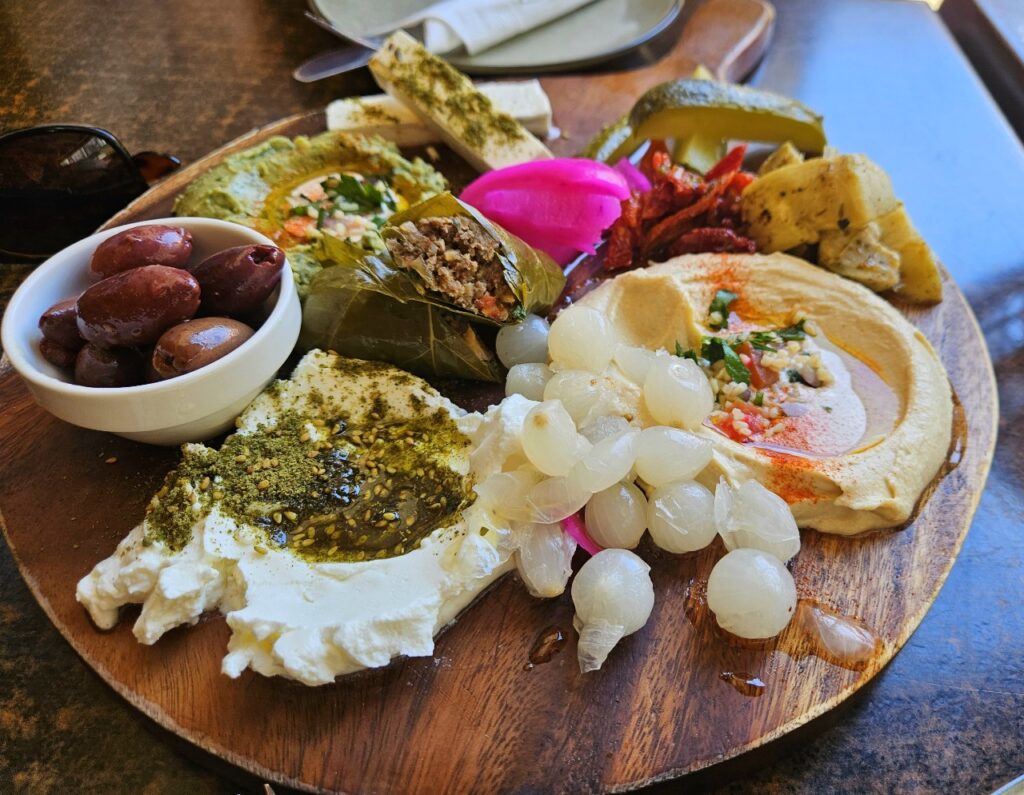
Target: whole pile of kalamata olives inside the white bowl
column 153, row 316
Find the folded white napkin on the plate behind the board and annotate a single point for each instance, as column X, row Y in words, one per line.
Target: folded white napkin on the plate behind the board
column 478, row 25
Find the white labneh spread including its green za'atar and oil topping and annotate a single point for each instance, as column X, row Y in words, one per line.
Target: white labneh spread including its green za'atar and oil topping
column 335, row 529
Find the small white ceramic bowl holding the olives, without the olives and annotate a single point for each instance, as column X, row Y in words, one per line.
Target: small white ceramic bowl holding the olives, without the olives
column 190, row 408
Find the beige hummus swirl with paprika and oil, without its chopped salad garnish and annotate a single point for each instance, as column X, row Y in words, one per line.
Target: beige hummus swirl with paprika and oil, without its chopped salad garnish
column 872, row 433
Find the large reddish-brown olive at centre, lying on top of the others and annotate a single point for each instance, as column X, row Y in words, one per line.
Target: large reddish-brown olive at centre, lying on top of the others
column 135, row 308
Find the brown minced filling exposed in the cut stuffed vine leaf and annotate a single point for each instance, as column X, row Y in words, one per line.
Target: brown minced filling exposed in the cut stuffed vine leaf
column 458, row 260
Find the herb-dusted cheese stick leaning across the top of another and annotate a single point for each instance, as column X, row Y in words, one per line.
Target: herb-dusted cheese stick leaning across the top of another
column 448, row 102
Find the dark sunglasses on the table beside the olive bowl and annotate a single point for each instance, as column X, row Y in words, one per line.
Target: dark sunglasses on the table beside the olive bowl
column 60, row 182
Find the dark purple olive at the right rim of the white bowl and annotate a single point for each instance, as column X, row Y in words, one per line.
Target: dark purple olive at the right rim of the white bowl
column 237, row 281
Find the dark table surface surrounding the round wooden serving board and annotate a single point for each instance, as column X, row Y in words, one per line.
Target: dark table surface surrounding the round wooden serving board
column 948, row 715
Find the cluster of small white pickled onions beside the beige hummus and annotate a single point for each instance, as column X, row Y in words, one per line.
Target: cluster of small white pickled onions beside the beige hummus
column 606, row 448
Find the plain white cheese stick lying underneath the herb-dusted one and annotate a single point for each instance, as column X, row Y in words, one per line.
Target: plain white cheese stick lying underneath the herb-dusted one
column 383, row 115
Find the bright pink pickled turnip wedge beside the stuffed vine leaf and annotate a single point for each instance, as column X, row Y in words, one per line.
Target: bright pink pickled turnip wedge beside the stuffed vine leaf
column 561, row 206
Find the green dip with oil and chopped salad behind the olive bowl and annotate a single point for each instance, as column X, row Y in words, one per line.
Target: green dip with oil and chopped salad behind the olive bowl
column 278, row 189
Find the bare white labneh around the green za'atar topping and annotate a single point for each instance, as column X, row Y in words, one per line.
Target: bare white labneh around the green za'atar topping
column 290, row 617
